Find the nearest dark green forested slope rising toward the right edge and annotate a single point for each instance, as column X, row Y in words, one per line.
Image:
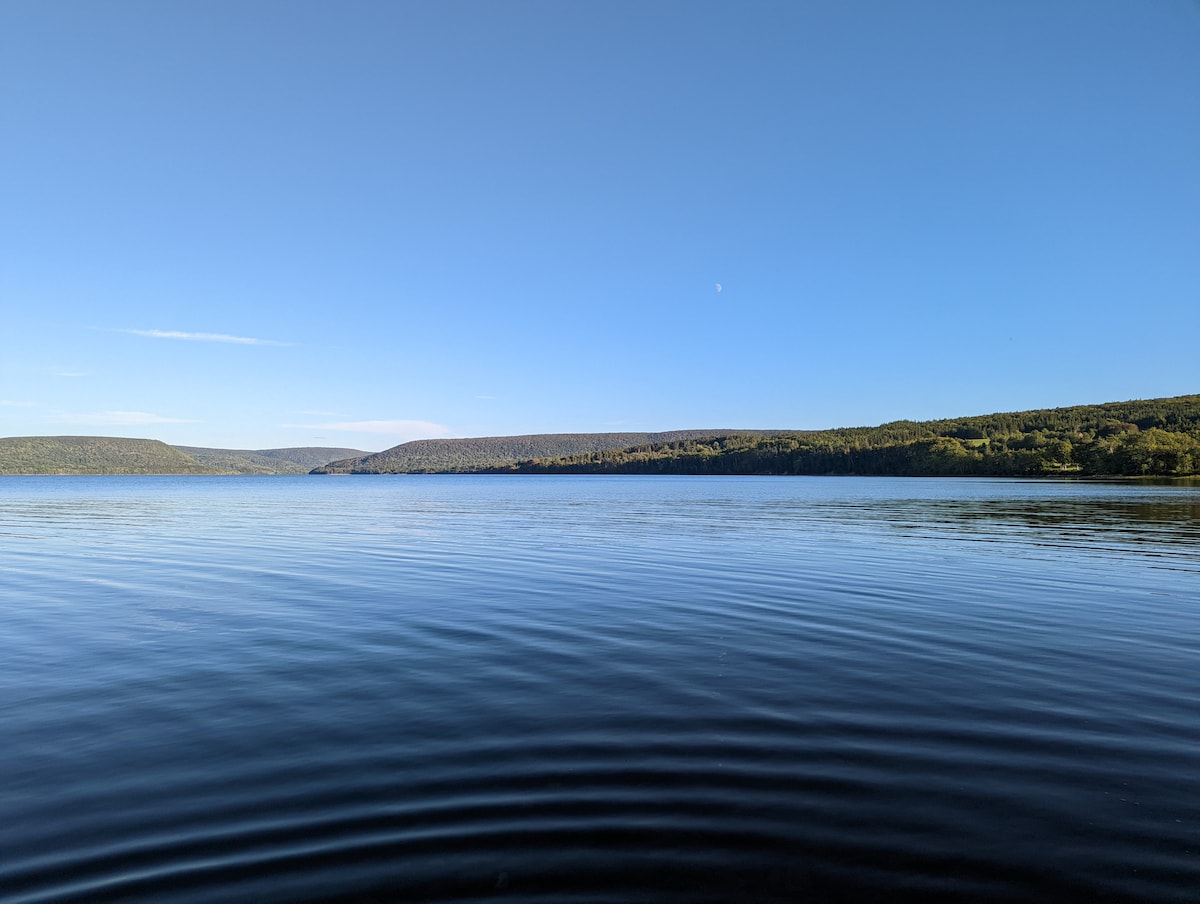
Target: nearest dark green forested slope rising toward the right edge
column 1159, row 438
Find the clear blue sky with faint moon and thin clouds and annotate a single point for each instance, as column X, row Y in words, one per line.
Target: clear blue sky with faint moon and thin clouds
column 255, row 225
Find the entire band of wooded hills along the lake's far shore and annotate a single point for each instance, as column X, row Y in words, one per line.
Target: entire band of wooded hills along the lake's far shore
column 1159, row 438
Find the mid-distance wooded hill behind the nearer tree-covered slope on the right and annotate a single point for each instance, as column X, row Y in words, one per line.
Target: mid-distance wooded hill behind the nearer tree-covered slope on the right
column 427, row 457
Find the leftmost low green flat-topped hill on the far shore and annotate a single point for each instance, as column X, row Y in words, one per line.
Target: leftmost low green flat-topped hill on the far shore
column 93, row 456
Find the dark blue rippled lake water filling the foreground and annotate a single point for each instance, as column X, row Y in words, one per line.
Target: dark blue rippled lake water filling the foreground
column 598, row 690
